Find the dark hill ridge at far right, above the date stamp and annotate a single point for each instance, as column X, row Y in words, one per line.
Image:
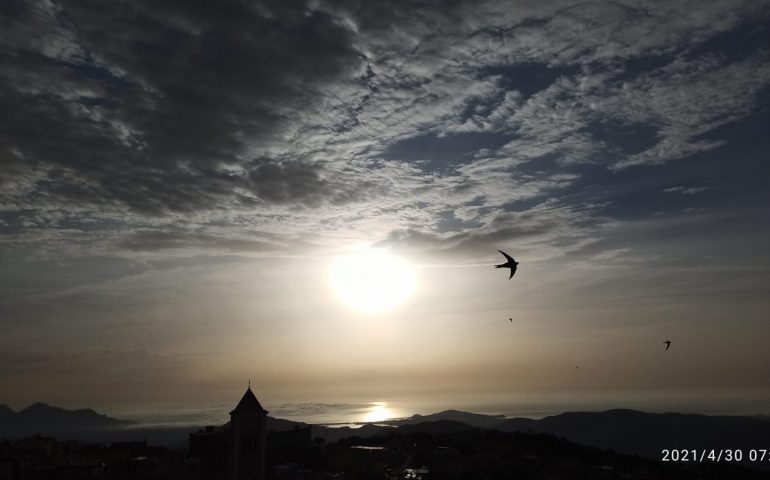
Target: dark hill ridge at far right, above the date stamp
column 646, row 434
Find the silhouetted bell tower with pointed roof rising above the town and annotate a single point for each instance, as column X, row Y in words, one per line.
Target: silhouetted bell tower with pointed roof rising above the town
column 248, row 424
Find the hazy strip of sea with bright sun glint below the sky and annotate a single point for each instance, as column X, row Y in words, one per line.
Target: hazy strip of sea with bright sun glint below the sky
column 524, row 404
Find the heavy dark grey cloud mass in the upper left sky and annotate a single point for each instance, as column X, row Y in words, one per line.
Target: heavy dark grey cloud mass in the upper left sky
column 144, row 104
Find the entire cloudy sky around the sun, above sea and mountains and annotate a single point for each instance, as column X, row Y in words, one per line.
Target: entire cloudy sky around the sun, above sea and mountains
column 178, row 180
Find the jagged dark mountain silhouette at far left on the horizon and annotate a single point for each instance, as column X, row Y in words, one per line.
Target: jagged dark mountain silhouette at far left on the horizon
column 49, row 420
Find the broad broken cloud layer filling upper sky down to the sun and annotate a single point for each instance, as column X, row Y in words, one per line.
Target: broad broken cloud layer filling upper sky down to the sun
column 185, row 128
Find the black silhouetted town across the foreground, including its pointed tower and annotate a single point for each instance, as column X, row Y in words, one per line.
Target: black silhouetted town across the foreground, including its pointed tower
column 245, row 449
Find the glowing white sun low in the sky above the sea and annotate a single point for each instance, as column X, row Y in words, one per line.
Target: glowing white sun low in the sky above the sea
column 373, row 281
